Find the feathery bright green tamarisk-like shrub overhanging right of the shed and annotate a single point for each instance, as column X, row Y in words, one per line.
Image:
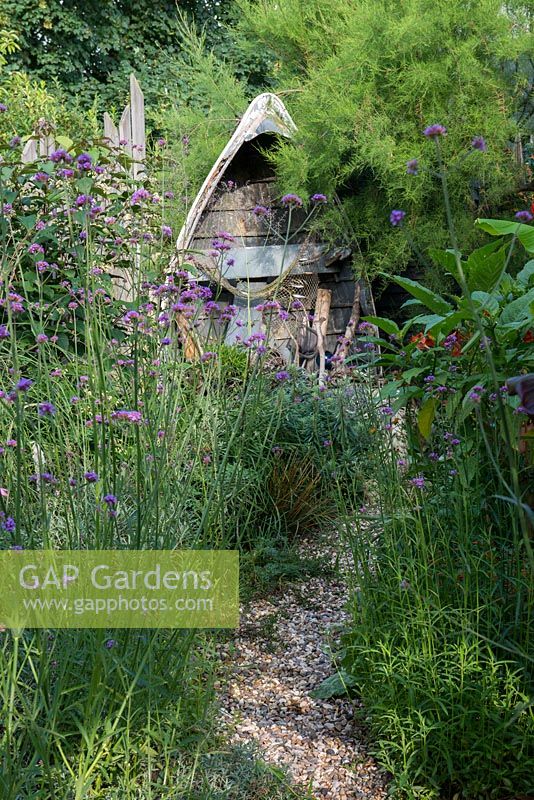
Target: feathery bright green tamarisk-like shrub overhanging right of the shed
column 367, row 78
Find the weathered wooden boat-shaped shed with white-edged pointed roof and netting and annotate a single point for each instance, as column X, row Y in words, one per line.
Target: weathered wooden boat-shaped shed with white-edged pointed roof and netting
column 272, row 255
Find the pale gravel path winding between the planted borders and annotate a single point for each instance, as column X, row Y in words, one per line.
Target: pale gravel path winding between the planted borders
column 278, row 657
